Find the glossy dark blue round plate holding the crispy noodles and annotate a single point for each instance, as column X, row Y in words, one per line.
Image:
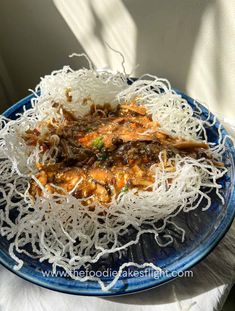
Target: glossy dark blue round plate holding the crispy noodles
column 203, row 231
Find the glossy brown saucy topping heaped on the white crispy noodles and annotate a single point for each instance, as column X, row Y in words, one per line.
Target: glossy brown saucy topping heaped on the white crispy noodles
column 104, row 153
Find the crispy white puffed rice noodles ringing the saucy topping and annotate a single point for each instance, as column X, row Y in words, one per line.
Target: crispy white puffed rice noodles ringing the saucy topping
column 59, row 227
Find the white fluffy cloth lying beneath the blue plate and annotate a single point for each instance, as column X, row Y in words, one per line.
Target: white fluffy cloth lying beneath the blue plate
column 206, row 290
